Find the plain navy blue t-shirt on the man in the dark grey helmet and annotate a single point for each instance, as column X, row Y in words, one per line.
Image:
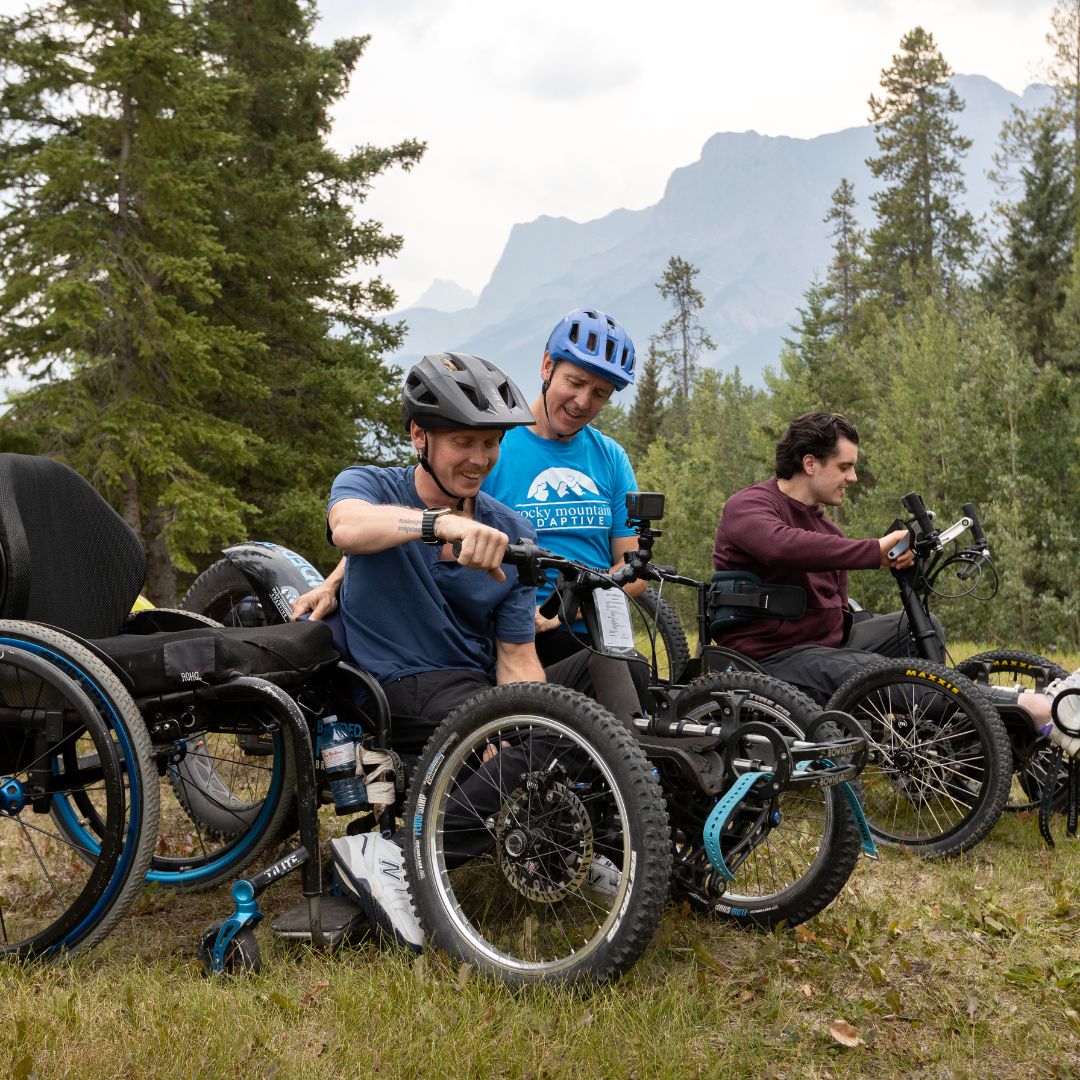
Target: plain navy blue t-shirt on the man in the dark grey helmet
column 407, row 611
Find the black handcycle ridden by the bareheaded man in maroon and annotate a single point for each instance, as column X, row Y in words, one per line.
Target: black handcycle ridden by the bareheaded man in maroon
column 942, row 752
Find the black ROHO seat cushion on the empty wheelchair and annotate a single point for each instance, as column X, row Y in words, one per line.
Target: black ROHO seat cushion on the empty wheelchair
column 164, row 663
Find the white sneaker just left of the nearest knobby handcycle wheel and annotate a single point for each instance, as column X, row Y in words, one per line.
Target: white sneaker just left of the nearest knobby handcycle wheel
column 372, row 871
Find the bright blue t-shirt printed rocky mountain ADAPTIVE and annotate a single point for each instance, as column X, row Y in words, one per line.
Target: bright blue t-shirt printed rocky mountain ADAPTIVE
column 573, row 492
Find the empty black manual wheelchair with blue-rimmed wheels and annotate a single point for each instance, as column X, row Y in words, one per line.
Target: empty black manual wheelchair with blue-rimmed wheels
column 109, row 723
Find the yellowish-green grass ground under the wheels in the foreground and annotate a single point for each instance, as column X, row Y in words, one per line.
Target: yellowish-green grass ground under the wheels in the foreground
column 967, row 968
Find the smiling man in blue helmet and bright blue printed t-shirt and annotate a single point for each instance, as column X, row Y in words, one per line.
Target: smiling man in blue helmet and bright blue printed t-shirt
column 565, row 478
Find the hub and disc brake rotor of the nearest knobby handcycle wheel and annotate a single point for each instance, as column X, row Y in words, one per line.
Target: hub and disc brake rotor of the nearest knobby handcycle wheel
column 544, row 843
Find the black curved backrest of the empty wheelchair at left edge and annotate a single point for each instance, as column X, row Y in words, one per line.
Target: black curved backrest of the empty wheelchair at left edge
column 69, row 559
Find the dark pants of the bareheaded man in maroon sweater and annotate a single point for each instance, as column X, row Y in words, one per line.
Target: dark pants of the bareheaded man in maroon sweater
column 818, row 670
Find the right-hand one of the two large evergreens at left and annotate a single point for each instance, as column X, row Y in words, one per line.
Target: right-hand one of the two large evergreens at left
column 321, row 397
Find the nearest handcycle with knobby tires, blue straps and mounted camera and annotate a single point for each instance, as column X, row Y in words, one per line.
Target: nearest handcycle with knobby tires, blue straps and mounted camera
column 528, row 790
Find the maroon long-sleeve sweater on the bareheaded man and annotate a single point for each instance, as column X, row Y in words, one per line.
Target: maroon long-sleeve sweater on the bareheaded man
column 787, row 543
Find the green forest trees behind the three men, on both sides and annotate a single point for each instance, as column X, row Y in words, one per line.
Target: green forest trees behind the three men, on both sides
column 190, row 285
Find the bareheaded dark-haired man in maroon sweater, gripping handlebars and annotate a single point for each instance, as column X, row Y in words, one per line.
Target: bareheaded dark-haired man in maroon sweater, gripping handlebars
column 778, row 531
